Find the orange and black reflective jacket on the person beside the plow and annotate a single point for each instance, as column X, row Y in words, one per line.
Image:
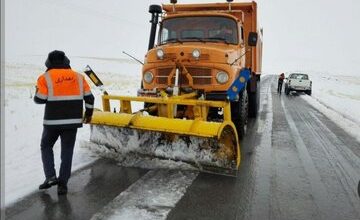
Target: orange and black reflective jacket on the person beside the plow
column 63, row 92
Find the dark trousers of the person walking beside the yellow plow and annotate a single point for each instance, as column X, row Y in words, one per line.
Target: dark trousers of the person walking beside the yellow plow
column 49, row 137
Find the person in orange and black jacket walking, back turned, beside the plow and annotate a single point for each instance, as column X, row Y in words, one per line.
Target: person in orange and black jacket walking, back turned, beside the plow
column 63, row 91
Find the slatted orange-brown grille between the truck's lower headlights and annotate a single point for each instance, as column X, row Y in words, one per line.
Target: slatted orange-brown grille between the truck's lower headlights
column 201, row 76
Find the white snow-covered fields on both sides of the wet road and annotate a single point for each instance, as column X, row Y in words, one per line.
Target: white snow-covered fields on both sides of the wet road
column 337, row 96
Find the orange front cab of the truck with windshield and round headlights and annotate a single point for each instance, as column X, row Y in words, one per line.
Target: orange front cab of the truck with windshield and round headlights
column 209, row 58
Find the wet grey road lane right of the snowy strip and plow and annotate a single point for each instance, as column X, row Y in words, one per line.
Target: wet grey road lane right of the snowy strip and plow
column 296, row 164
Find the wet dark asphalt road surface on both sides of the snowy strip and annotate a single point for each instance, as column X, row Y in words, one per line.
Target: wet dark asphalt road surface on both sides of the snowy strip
column 296, row 164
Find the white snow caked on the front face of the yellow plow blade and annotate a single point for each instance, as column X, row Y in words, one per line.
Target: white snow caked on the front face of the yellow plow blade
column 137, row 148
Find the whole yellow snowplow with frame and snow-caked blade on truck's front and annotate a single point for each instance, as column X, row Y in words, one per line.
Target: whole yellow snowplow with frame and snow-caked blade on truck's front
column 210, row 146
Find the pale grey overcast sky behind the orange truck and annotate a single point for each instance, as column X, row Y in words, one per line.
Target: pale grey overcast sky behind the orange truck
column 308, row 35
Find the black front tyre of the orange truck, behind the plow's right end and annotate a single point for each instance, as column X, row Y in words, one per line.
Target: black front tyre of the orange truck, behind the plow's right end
column 239, row 113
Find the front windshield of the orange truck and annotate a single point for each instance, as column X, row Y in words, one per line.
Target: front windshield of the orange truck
column 199, row 28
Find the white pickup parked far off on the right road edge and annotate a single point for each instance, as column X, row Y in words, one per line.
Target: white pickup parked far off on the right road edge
column 298, row 82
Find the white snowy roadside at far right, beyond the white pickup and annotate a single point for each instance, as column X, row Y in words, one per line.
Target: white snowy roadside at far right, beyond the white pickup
column 338, row 97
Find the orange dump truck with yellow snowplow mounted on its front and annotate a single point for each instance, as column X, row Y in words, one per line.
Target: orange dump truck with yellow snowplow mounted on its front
column 199, row 86
